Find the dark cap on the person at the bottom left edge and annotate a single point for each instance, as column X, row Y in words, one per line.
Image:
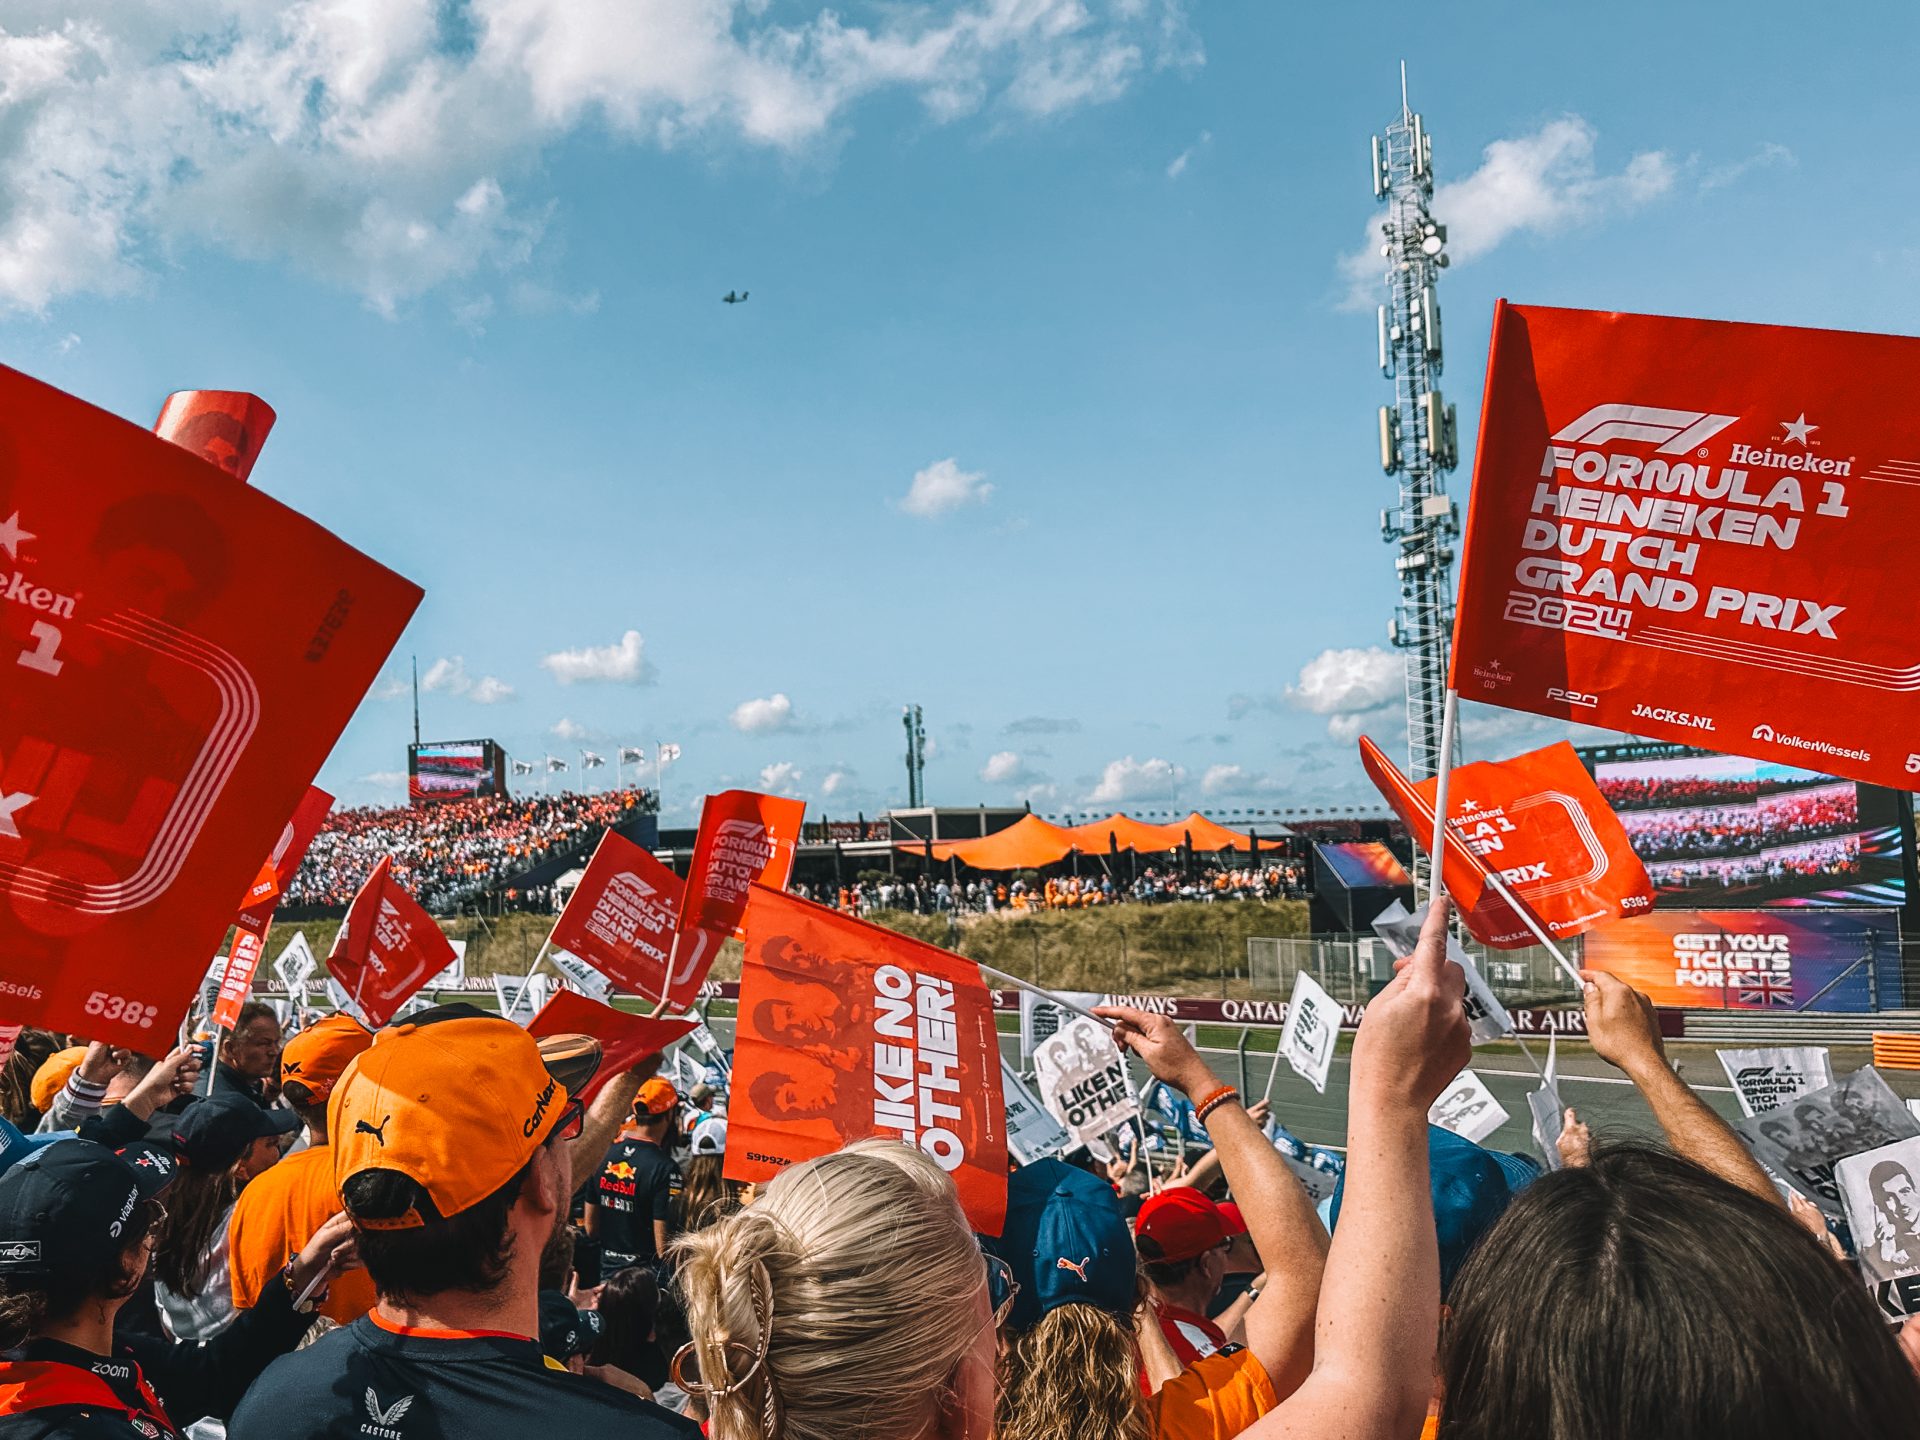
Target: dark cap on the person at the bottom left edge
column 68, row 1207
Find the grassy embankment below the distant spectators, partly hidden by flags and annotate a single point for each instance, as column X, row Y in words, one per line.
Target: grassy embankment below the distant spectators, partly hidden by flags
column 1126, row 949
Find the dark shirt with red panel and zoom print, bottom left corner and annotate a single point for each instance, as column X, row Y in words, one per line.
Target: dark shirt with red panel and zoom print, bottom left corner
column 187, row 1380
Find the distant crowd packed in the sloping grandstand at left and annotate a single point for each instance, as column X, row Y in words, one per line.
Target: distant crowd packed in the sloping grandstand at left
column 448, row 853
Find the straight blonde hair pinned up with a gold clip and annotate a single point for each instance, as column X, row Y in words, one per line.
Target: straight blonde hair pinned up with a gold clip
column 855, row 1278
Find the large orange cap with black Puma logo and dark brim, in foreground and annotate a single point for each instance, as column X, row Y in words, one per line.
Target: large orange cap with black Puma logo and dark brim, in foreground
column 458, row 1107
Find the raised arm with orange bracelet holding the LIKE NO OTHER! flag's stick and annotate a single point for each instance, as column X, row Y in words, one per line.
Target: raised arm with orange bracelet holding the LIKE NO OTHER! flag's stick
column 1278, row 1211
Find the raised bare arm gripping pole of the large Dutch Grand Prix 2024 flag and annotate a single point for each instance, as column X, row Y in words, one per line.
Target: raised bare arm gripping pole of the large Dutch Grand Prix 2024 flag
column 1380, row 1312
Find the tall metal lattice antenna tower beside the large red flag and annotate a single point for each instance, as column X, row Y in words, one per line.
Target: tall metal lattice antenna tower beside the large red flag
column 1420, row 439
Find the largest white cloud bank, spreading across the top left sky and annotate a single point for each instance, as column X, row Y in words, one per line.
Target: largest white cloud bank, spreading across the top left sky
column 383, row 147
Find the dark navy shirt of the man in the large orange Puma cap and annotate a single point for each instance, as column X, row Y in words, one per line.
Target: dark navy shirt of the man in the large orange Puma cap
column 368, row 1383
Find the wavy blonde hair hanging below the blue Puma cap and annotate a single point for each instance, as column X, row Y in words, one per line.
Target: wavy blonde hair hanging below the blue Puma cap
column 1074, row 1376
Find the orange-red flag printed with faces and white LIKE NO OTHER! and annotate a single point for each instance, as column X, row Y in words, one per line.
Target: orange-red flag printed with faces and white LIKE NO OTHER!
column 848, row 1032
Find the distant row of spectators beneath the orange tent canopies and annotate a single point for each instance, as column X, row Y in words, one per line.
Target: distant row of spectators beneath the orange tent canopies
column 1020, row 896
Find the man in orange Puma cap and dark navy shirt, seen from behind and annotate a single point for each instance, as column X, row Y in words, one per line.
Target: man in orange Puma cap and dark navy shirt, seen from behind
column 448, row 1145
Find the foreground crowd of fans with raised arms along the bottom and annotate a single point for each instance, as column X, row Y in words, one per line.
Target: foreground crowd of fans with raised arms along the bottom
column 454, row 1230
